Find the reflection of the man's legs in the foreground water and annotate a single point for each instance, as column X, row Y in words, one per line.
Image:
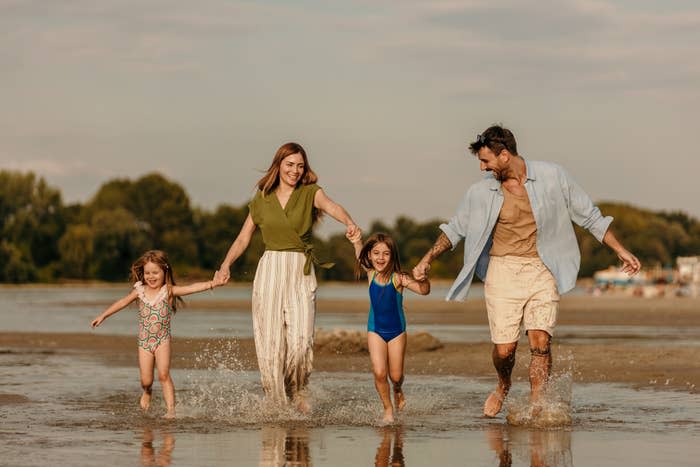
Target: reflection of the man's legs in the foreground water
column 543, row 448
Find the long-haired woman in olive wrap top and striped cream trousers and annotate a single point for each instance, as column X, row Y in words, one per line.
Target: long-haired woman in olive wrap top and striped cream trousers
column 285, row 207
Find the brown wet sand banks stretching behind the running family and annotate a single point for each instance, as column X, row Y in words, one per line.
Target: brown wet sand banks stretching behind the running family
column 659, row 366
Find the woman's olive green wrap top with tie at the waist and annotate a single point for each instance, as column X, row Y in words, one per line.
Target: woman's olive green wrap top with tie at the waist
column 287, row 229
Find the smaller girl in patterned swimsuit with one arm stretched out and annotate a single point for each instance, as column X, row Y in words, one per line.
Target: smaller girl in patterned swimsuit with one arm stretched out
column 157, row 294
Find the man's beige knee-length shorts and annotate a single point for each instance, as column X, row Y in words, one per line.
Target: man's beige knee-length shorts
column 519, row 290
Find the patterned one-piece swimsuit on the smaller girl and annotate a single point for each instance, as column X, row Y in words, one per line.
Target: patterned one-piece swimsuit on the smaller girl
column 154, row 318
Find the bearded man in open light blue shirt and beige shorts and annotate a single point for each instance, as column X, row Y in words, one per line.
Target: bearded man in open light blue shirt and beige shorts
column 519, row 239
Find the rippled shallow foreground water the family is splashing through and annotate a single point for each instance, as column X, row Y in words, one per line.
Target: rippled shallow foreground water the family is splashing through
column 69, row 409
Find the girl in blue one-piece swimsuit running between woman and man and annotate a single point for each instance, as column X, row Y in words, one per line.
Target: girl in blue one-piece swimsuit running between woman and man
column 386, row 325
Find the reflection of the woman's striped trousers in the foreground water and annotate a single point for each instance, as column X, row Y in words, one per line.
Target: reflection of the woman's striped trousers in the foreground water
column 284, row 447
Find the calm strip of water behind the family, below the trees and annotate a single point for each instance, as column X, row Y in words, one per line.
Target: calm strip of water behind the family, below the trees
column 71, row 309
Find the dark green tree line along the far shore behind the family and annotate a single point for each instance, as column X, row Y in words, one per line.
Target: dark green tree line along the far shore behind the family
column 45, row 240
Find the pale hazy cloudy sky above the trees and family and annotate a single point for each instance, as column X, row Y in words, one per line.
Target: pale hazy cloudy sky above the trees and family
column 384, row 95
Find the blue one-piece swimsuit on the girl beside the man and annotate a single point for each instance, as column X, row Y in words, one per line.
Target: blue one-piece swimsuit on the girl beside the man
column 386, row 316
